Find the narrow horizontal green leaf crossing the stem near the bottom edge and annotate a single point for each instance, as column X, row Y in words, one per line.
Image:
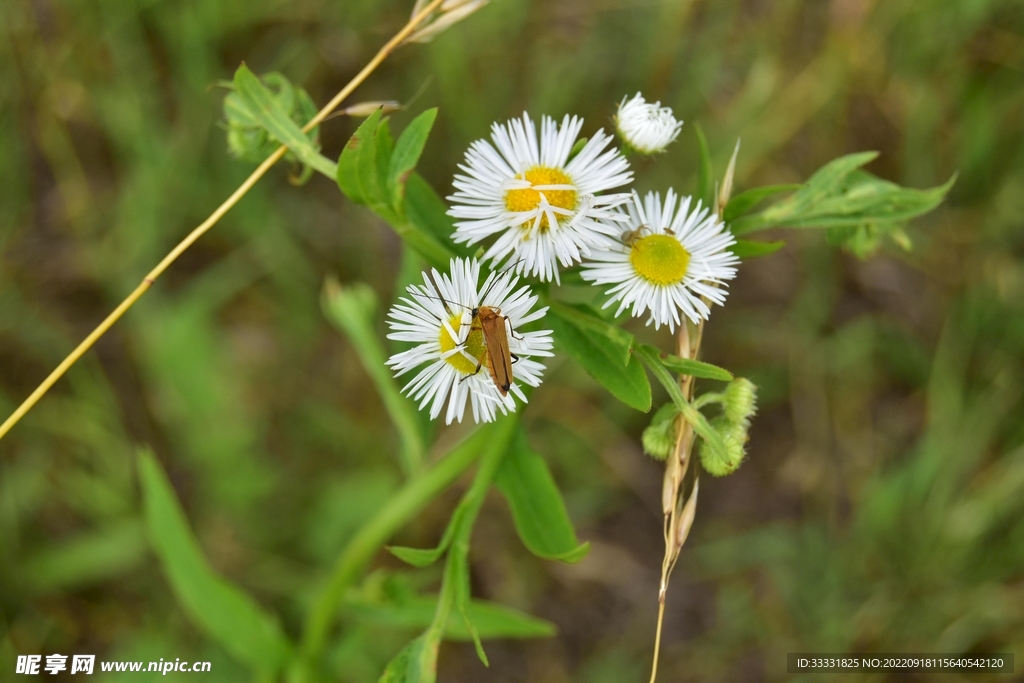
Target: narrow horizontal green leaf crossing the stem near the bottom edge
column 492, row 620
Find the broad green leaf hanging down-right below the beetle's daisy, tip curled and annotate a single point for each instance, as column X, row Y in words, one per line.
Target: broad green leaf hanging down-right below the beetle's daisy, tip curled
column 538, row 509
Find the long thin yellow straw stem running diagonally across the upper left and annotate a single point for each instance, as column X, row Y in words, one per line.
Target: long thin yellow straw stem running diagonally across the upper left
column 211, row 222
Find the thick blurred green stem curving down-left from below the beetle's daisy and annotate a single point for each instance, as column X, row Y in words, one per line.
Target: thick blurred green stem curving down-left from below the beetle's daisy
column 417, row 493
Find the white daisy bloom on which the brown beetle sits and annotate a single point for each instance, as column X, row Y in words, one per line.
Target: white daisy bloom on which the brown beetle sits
column 440, row 318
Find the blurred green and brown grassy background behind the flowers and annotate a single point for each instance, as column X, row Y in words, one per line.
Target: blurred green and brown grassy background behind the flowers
column 880, row 508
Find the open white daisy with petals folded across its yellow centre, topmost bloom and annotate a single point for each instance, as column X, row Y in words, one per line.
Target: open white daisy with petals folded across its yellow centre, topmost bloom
column 544, row 207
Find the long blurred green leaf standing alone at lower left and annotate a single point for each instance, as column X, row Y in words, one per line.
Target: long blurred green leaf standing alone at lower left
column 221, row 609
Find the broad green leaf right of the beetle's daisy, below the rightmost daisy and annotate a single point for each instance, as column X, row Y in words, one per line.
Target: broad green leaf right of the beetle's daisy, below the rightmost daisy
column 603, row 359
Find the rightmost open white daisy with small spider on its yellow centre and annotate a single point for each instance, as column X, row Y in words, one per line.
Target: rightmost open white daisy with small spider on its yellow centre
column 670, row 261
